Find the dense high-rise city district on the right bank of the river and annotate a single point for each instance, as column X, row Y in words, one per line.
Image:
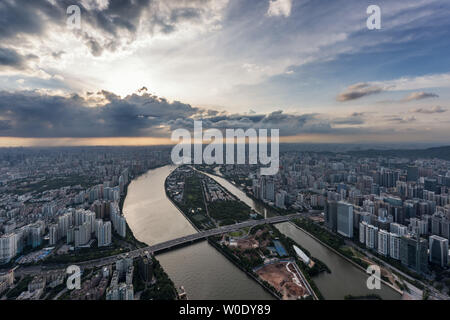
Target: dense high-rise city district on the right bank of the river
column 399, row 208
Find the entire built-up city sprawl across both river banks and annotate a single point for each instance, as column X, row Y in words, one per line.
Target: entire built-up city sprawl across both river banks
column 60, row 206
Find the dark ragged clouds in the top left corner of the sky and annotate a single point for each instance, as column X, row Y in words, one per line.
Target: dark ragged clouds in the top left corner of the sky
column 115, row 25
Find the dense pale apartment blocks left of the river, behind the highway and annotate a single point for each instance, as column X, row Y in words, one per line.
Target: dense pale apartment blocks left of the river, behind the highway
column 65, row 195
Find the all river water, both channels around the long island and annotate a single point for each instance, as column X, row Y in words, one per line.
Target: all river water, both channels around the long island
column 202, row 270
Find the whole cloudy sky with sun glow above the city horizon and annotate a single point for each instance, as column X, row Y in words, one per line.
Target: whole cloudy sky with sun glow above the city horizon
column 135, row 70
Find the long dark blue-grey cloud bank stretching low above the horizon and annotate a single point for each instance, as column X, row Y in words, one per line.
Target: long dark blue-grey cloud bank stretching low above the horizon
column 31, row 114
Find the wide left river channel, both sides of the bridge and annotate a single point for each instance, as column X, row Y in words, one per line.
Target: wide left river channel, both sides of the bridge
column 202, row 270
